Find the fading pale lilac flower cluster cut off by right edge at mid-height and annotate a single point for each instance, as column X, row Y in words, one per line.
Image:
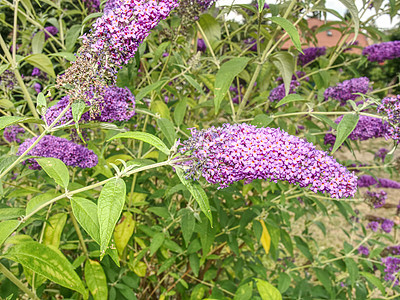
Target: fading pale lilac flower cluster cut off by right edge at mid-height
column 390, row 108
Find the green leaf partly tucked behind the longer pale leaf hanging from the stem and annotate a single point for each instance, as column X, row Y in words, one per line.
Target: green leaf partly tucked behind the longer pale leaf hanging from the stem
column 85, row 212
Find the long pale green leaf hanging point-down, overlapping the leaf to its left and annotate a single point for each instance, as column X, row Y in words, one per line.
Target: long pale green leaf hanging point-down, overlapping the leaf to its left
column 110, row 204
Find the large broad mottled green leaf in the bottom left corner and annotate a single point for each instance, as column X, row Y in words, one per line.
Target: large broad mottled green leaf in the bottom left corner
column 48, row 262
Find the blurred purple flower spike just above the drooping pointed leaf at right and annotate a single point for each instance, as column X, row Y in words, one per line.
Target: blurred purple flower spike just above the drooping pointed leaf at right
column 346, row 90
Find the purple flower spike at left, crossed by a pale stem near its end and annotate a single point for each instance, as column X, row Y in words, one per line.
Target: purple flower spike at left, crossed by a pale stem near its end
column 52, row 146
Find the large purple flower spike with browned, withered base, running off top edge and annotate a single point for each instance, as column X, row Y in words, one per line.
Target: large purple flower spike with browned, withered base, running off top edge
column 112, row 42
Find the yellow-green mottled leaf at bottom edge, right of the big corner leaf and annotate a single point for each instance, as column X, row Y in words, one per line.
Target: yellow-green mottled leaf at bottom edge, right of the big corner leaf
column 96, row 280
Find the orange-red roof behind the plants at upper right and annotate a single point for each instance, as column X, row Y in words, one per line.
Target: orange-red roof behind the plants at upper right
column 328, row 37
